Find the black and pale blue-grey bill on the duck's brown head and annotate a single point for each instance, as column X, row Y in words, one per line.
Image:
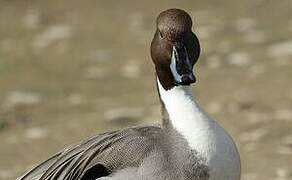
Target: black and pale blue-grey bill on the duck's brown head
column 181, row 66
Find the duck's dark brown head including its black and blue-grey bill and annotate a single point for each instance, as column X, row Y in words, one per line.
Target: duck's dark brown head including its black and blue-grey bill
column 174, row 49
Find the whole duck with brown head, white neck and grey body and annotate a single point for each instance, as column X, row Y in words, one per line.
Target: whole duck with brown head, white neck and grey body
column 189, row 145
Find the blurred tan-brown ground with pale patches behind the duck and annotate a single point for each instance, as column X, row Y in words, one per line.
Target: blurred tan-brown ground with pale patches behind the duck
column 71, row 69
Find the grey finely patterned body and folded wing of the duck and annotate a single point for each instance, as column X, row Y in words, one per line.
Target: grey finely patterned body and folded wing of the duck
column 135, row 153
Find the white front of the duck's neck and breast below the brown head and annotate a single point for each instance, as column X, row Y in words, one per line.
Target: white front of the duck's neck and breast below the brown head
column 202, row 133
